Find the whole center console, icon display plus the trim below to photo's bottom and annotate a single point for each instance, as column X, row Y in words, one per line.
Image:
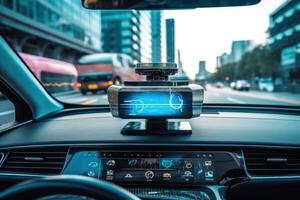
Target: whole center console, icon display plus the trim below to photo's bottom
column 158, row 174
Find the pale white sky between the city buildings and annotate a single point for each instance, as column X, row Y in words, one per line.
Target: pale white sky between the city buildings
column 205, row 33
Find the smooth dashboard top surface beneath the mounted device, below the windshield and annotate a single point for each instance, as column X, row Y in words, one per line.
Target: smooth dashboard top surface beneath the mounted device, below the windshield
column 221, row 128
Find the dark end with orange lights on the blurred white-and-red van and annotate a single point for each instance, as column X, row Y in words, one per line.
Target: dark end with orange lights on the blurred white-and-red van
column 94, row 82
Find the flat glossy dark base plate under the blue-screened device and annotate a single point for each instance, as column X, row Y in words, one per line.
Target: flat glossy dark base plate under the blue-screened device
column 156, row 127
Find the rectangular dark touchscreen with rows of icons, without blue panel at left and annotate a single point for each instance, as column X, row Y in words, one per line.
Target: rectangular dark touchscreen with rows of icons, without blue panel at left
column 158, row 167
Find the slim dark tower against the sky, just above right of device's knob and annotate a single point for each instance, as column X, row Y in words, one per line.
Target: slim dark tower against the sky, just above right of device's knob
column 170, row 40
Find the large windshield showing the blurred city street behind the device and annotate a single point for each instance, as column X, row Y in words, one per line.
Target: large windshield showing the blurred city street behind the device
column 239, row 55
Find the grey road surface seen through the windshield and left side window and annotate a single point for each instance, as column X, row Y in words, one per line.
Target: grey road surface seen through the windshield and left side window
column 211, row 95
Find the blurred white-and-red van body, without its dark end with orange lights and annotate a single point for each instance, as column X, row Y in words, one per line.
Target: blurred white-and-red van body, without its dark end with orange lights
column 119, row 65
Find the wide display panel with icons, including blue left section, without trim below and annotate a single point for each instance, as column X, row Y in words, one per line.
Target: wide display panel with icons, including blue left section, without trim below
column 153, row 167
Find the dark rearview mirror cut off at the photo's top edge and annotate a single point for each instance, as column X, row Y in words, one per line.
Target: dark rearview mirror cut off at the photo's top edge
column 163, row 4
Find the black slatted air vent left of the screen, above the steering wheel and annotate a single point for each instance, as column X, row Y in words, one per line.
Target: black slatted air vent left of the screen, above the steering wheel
column 48, row 160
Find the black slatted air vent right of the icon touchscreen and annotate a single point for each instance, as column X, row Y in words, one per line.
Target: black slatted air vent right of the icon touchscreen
column 272, row 162
